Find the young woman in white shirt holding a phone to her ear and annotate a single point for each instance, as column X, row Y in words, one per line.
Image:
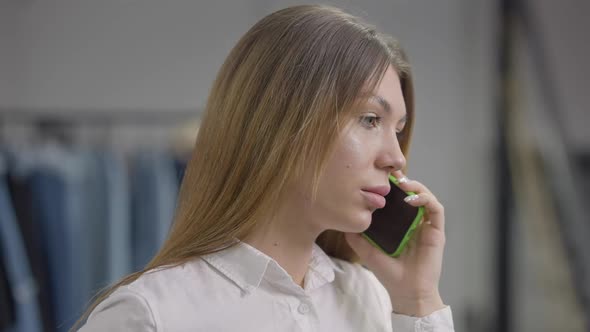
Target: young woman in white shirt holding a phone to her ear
column 308, row 116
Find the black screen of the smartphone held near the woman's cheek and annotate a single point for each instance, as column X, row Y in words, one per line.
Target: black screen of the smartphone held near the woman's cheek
column 390, row 224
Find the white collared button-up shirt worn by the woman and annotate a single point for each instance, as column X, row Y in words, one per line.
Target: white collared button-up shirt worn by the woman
column 242, row 289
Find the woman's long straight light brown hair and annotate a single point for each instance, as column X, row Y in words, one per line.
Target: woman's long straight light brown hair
column 274, row 111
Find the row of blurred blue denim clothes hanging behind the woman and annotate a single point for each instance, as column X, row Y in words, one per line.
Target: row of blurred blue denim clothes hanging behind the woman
column 74, row 220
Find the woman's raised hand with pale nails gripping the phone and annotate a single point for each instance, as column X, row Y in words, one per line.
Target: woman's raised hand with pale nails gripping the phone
column 411, row 279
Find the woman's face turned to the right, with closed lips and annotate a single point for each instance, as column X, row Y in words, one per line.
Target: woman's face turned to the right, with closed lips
column 366, row 152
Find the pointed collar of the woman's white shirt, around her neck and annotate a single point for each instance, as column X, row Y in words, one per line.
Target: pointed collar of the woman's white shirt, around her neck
column 247, row 267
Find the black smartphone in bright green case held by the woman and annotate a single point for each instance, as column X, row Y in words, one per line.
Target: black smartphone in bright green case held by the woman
column 392, row 226
